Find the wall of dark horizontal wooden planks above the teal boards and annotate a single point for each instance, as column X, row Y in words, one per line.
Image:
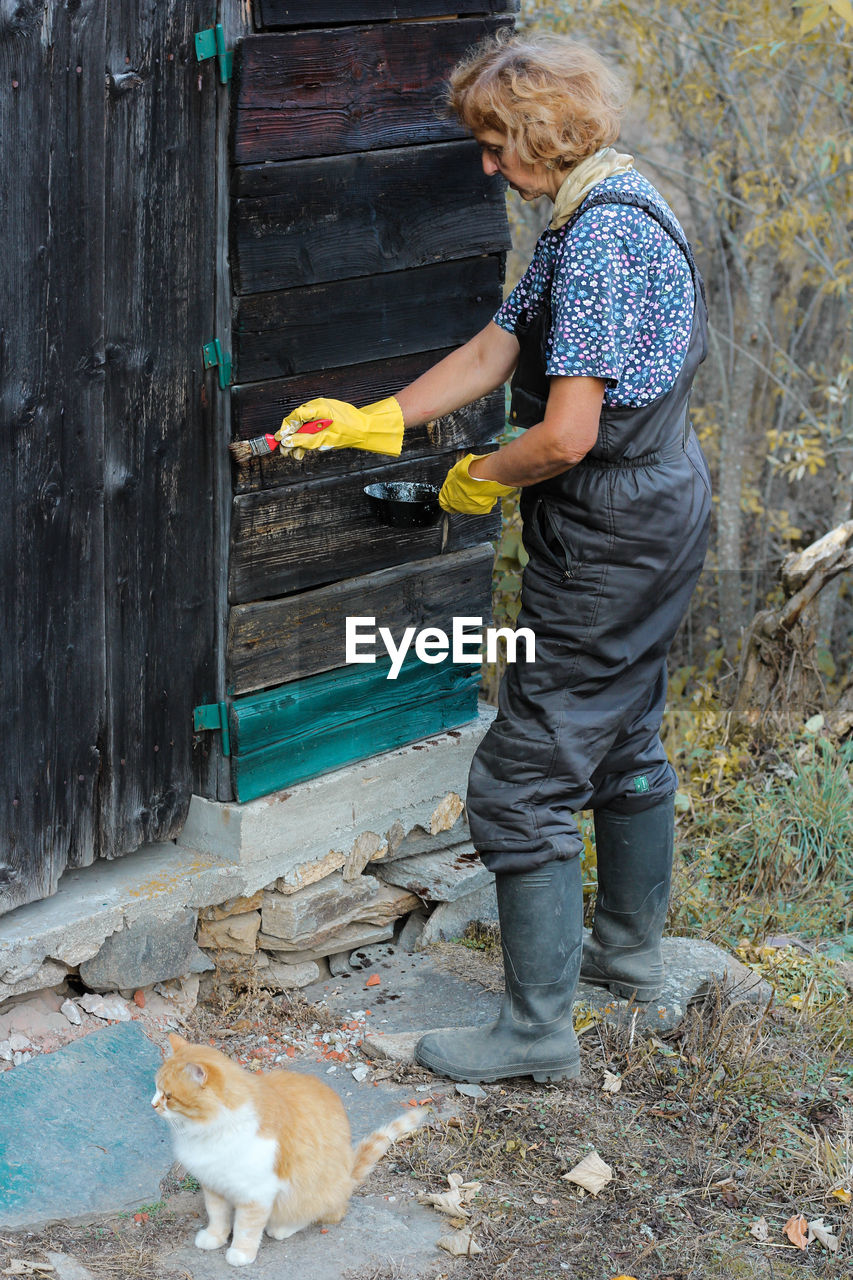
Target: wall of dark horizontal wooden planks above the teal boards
column 366, row 244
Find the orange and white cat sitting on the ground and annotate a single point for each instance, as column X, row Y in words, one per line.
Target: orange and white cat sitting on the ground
column 272, row 1150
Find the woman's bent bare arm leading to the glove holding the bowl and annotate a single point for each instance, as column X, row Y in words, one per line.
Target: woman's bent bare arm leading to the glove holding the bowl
column 564, row 437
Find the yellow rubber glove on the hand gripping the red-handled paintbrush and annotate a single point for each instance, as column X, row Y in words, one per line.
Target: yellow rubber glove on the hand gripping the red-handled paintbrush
column 377, row 428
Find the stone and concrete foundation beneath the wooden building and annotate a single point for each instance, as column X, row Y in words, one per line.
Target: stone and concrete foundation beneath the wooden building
column 271, row 889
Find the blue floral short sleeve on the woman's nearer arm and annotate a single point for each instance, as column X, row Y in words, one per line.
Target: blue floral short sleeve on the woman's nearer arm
column 599, row 294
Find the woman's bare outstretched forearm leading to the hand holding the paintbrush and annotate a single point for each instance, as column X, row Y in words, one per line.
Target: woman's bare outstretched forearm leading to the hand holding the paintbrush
column 468, row 373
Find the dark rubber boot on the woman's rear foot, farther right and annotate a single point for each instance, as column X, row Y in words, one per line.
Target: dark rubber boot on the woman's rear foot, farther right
column 635, row 856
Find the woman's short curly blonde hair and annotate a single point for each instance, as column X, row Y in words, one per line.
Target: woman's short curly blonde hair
column 554, row 99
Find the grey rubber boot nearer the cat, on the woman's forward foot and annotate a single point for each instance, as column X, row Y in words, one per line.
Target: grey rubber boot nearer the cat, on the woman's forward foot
column 541, row 915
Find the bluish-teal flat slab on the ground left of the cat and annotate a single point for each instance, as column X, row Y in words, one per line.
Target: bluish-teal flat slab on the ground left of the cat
column 77, row 1132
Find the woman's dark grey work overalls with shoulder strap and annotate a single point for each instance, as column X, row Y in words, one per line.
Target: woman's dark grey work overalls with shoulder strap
column 617, row 546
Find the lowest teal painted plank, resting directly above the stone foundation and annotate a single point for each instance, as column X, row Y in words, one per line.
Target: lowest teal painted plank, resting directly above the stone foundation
column 286, row 764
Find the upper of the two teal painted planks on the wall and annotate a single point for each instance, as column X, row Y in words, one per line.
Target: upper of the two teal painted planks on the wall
column 311, row 708
